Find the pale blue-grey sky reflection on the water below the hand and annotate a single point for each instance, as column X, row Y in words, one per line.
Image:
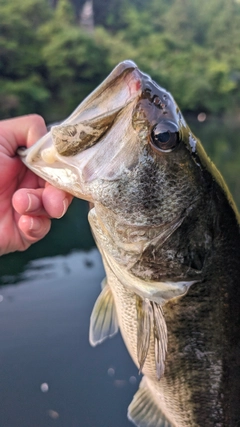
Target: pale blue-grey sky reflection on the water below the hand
column 49, row 373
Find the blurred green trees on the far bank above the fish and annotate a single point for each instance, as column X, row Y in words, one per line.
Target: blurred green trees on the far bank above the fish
column 48, row 63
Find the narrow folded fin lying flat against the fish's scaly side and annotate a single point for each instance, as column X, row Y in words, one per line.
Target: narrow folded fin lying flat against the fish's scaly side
column 150, row 318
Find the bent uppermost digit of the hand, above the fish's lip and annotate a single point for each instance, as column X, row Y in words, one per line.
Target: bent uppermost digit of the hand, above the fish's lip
column 21, row 131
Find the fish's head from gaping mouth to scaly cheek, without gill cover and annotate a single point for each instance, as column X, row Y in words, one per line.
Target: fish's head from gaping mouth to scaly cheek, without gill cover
column 126, row 146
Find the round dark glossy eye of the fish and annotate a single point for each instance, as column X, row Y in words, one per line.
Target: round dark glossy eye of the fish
column 165, row 137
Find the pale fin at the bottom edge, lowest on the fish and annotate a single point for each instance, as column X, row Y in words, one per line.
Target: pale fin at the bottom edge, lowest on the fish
column 144, row 410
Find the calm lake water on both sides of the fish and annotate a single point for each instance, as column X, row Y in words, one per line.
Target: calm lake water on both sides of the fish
column 49, row 374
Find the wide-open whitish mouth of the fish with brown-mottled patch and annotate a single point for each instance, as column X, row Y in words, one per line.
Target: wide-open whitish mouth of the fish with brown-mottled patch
column 58, row 156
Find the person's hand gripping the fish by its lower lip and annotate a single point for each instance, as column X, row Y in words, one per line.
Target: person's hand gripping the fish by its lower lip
column 27, row 202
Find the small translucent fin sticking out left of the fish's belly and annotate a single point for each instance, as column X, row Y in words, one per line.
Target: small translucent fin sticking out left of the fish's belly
column 103, row 320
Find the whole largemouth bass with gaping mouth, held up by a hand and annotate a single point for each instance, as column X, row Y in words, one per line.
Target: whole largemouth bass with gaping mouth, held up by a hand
column 168, row 232
